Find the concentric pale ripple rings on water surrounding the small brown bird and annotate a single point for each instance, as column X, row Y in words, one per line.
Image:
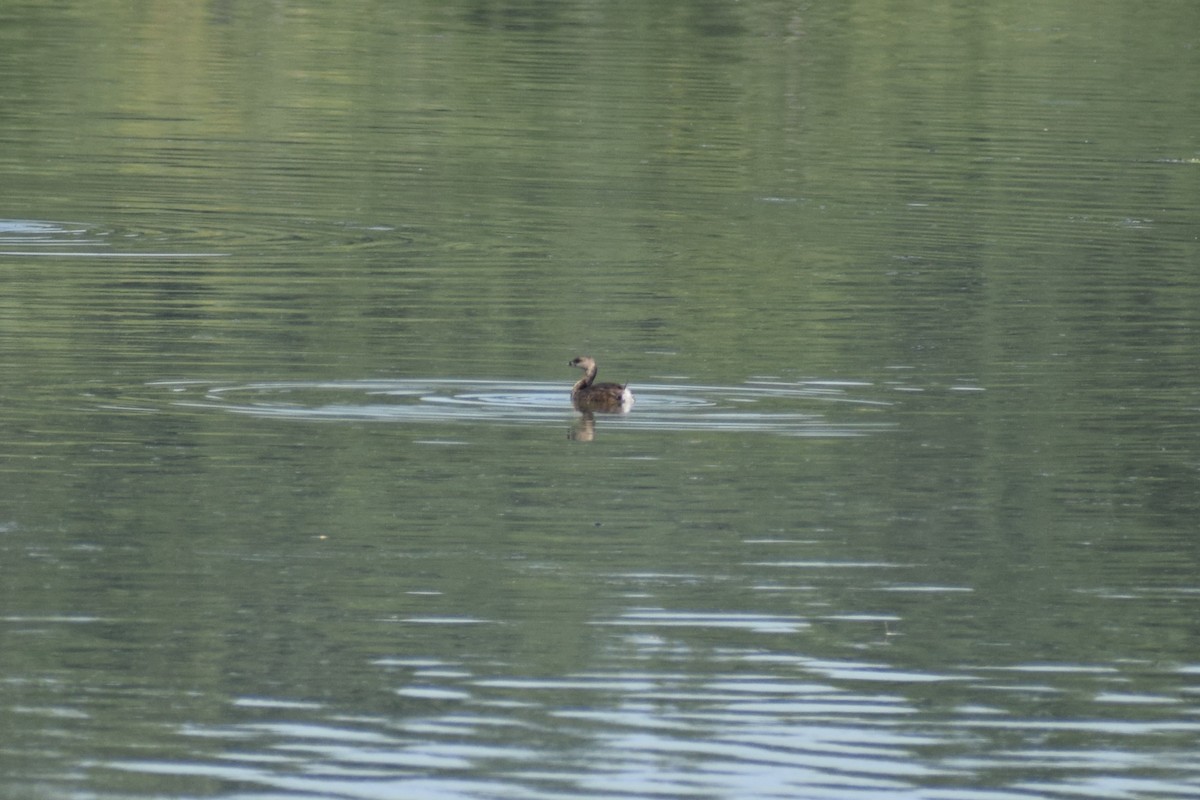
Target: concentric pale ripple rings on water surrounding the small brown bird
column 784, row 410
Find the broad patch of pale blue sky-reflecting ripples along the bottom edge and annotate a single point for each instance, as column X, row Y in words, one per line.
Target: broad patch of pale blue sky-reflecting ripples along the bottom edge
column 845, row 730
